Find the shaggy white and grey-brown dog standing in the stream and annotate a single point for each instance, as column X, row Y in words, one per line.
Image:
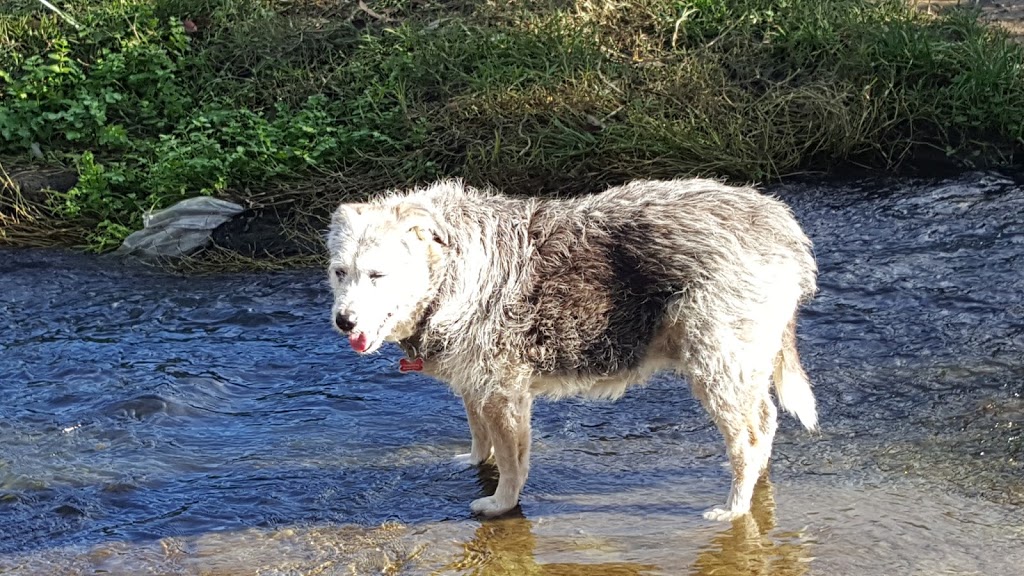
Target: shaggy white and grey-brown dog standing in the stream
column 507, row 300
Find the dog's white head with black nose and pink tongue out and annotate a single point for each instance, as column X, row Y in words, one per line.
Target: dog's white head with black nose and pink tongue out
column 386, row 261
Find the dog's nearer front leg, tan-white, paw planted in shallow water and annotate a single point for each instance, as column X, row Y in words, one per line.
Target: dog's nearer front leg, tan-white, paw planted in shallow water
column 507, row 421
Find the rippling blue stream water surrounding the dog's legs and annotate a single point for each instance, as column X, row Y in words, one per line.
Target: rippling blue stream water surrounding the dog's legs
column 153, row 424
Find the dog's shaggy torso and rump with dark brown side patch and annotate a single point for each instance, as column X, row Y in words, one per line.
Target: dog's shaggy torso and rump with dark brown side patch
column 601, row 279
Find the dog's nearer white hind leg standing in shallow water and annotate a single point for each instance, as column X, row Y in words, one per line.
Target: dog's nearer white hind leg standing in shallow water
column 742, row 408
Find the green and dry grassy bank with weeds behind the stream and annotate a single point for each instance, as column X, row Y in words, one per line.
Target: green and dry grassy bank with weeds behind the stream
column 301, row 104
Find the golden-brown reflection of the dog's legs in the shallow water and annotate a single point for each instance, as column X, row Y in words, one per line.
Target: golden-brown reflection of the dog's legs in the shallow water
column 506, row 548
